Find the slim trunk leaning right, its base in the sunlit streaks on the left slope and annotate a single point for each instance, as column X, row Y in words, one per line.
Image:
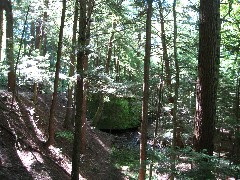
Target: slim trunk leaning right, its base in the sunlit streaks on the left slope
column 51, row 126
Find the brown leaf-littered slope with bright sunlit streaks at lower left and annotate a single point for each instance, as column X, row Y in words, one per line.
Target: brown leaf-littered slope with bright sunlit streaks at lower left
column 23, row 131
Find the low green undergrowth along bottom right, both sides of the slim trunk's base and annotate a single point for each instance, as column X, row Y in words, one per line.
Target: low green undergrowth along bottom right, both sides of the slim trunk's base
column 189, row 164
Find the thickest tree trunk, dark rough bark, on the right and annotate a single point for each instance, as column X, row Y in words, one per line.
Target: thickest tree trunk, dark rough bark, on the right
column 208, row 67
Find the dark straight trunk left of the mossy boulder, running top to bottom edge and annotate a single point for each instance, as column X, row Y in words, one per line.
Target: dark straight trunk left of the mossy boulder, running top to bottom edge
column 79, row 91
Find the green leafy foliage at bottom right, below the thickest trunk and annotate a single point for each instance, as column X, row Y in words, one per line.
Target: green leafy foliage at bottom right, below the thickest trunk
column 193, row 165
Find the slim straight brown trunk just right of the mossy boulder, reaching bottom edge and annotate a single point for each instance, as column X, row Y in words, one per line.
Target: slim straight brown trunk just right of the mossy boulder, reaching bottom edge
column 143, row 141
